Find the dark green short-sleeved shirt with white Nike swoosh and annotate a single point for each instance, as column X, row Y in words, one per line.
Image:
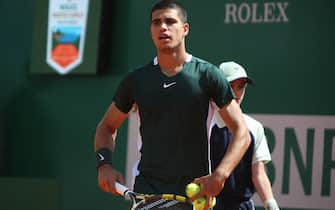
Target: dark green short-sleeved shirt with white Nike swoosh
column 173, row 115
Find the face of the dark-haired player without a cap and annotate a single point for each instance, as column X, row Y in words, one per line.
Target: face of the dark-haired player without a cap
column 167, row 30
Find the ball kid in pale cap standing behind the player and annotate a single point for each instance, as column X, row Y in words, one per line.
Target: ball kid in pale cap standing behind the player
column 250, row 173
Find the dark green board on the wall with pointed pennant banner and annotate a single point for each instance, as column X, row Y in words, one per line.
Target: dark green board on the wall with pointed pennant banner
column 67, row 37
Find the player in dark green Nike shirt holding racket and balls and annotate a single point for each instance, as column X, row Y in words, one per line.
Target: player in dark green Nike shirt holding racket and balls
column 172, row 93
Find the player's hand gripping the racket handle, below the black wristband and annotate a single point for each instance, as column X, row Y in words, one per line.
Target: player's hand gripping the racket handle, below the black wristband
column 107, row 176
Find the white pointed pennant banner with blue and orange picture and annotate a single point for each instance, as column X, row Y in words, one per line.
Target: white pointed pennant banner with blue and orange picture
column 66, row 34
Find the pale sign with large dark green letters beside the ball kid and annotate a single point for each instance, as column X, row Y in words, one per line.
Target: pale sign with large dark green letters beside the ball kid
column 303, row 160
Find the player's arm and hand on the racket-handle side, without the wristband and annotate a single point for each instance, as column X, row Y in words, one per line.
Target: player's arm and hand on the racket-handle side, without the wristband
column 105, row 137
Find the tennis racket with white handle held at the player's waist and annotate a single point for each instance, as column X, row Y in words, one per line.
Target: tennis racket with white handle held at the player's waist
column 153, row 202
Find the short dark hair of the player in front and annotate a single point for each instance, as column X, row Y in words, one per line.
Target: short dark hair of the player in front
column 170, row 4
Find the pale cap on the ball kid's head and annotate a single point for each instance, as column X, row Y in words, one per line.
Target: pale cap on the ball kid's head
column 234, row 71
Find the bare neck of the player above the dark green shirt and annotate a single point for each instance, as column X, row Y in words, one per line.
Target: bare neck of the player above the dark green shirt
column 172, row 63
